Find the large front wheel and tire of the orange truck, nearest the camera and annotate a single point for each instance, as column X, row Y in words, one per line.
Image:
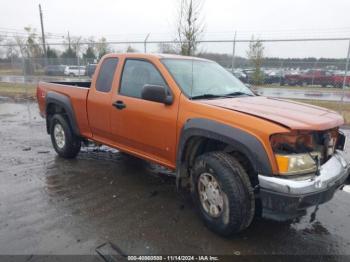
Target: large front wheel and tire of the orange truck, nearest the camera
column 238, row 201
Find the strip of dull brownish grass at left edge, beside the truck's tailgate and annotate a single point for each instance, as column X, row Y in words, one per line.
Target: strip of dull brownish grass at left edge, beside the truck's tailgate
column 17, row 90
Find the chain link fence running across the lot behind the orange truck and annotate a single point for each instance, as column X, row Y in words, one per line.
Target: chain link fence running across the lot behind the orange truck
column 277, row 67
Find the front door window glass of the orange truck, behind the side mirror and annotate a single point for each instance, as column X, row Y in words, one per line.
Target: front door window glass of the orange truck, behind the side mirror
column 136, row 74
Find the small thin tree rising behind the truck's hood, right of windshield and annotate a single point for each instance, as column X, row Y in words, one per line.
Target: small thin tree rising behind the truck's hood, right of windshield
column 255, row 55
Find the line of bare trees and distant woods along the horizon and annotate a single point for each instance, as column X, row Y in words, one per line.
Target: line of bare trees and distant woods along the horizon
column 189, row 27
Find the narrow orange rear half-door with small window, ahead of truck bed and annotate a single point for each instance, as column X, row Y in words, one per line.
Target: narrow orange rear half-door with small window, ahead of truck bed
column 99, row 100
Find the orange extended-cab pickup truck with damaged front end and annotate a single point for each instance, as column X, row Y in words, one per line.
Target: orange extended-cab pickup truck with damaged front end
column 241, row 155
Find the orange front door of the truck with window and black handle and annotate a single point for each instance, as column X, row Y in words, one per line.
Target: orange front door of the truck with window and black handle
column 144, row 127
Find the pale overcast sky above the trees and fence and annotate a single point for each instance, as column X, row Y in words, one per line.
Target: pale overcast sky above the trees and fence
column 134, row 19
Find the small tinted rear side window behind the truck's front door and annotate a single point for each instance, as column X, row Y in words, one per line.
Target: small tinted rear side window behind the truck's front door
column 106, row 75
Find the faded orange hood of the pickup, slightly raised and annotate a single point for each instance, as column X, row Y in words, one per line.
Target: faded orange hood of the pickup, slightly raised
column 294, row 115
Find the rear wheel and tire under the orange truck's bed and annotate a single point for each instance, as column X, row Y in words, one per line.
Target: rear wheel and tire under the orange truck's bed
column 65, row 143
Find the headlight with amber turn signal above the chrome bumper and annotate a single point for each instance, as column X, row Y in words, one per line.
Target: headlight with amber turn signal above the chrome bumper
column 297, row 164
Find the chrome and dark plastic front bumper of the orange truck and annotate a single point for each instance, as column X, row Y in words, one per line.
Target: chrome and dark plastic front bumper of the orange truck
column 285, row 199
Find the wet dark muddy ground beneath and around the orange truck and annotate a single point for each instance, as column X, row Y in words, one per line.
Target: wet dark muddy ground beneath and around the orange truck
column 53, row 206
